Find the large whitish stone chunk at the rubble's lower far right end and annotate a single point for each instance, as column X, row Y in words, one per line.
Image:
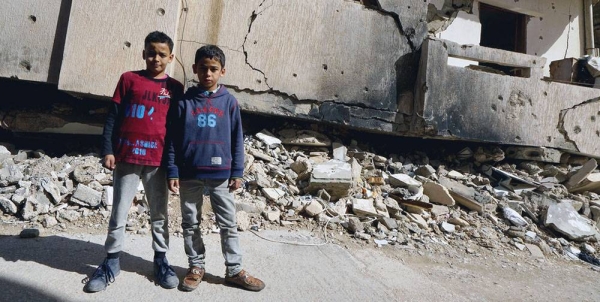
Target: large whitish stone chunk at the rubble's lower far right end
column 563, row 218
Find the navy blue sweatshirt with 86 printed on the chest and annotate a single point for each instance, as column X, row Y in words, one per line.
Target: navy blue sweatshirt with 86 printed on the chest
column 205, row 137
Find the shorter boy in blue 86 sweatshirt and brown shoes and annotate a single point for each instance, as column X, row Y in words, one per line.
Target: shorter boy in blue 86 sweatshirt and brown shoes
column 207, row 152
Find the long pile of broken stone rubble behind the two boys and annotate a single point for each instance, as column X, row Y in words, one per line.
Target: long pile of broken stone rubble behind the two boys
column 530, row 199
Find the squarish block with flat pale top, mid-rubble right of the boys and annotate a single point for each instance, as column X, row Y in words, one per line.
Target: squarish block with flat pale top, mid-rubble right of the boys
column 334, row 176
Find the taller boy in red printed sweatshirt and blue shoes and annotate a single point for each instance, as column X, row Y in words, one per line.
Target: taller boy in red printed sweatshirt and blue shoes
column 133, row 146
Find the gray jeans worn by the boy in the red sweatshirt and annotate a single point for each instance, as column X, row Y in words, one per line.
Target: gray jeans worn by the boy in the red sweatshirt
column 126, row 180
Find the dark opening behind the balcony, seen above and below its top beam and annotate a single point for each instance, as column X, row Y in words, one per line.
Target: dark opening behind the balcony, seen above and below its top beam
column 502, row 29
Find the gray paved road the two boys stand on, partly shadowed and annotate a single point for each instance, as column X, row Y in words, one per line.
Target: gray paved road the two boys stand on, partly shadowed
column 50, row 268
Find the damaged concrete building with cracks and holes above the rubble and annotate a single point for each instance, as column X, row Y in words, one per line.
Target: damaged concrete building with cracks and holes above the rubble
column 498, row 71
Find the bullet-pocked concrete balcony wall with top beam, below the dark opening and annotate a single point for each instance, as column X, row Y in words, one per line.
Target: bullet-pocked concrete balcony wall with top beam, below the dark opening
column 475, row 105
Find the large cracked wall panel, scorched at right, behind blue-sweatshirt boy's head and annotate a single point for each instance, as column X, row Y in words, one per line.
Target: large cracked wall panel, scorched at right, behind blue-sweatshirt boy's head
column 352, row 66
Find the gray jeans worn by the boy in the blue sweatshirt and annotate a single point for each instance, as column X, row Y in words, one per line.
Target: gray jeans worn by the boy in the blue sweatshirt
column 224, row 208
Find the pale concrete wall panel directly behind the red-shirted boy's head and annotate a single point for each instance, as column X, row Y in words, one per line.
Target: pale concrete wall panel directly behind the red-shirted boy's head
column 106, row 38
